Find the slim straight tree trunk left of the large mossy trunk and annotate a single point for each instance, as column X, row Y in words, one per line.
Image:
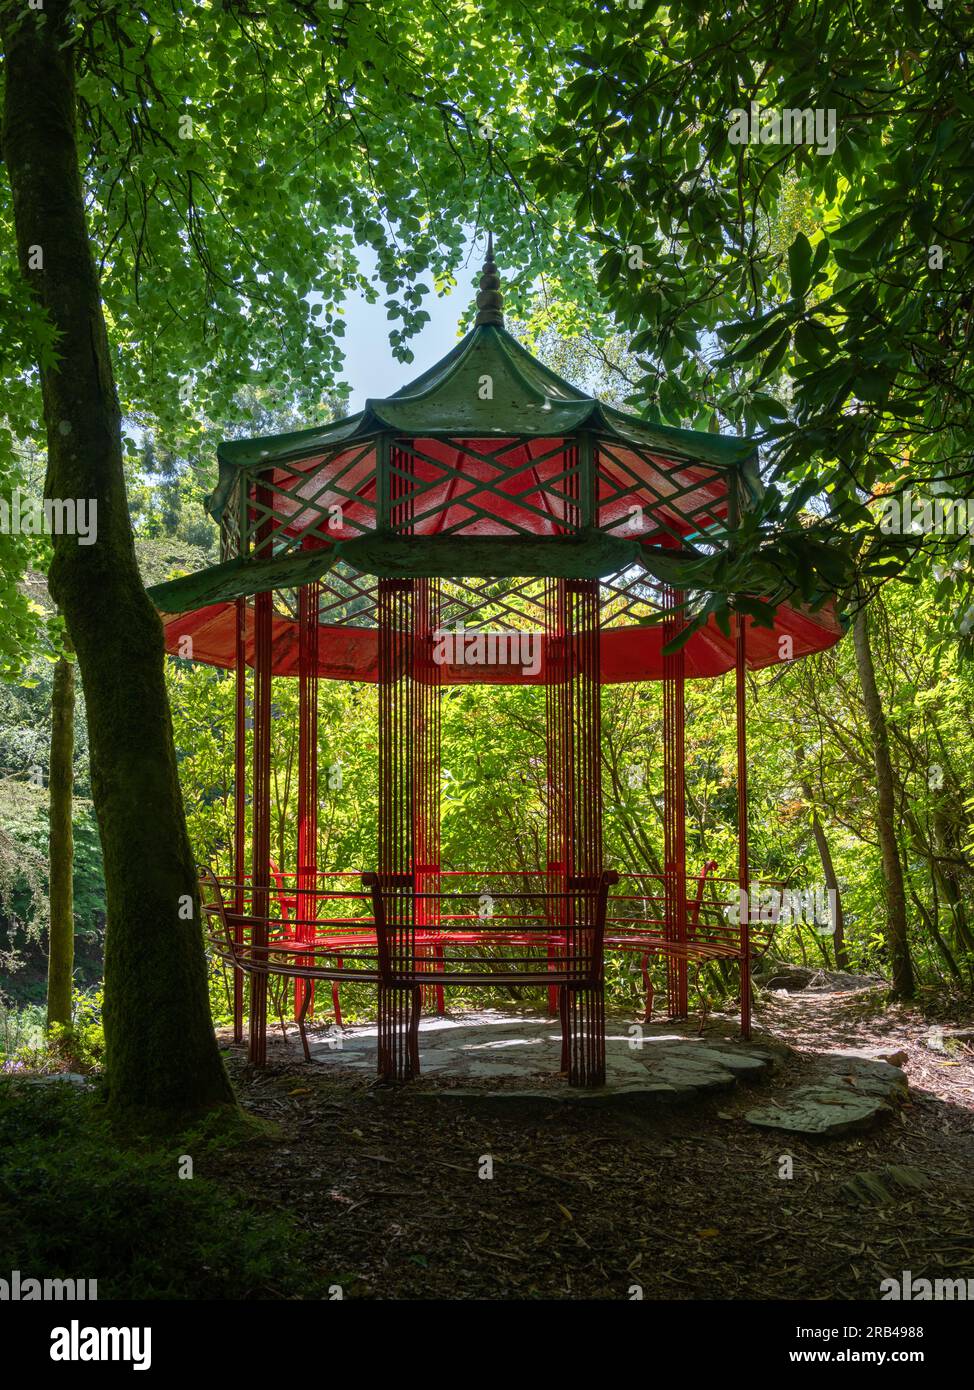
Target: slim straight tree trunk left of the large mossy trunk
column 62, row 847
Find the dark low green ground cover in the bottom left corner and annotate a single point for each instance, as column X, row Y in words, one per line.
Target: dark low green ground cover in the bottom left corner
column 77, row 1203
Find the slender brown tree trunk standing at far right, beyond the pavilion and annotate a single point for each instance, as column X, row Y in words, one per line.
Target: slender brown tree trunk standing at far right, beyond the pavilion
column 886, row 821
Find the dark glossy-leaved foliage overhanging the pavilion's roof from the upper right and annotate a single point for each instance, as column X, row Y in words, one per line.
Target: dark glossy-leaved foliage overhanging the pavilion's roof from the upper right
column 816, row 298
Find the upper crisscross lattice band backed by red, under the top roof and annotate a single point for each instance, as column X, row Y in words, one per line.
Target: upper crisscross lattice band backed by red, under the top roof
column 509, row 487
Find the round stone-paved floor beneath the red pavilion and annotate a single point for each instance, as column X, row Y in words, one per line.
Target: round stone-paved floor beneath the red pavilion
column 644, row 1063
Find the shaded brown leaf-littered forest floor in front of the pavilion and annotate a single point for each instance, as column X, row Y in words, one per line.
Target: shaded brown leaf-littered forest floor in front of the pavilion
column 683, row 1202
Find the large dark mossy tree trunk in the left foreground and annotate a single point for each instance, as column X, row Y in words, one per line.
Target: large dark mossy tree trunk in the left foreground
column 160, row 1049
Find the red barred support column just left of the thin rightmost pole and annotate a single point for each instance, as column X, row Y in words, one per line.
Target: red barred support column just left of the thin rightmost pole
column 675, row 806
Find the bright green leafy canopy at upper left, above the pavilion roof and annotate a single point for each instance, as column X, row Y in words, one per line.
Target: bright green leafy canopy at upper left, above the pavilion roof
column 379, row 123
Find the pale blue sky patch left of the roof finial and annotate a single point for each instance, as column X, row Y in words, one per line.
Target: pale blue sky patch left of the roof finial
column 370, row 369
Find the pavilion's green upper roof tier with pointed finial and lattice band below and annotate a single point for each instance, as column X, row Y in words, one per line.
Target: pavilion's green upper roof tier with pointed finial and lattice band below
column 488, row 445
